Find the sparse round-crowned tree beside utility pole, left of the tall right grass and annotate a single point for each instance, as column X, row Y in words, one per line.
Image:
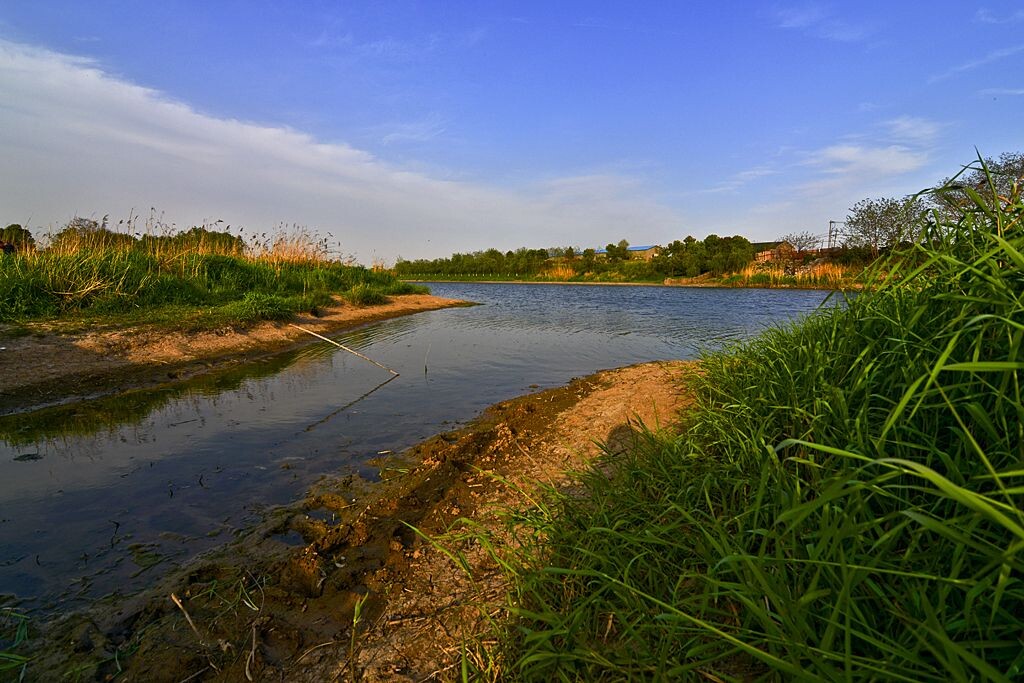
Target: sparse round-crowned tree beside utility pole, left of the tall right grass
column 884, row 224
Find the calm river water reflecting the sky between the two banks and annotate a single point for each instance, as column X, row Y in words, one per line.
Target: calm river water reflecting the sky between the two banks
column 175, row 472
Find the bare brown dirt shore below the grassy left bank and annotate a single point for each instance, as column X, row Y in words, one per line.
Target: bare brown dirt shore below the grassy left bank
column 47, row 368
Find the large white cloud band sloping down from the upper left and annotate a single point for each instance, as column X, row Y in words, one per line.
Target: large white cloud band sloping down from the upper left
column 78, row 141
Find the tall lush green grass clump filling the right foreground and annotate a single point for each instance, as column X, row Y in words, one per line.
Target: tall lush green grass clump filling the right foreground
column 845, row 503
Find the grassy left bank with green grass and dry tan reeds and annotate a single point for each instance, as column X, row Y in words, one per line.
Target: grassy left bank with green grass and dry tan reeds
column 205, row 277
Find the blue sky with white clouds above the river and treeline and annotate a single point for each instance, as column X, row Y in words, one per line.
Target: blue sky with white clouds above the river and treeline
column 418, row 130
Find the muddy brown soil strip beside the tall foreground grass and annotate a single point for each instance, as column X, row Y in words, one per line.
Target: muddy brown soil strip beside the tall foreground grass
column 263, row 610
